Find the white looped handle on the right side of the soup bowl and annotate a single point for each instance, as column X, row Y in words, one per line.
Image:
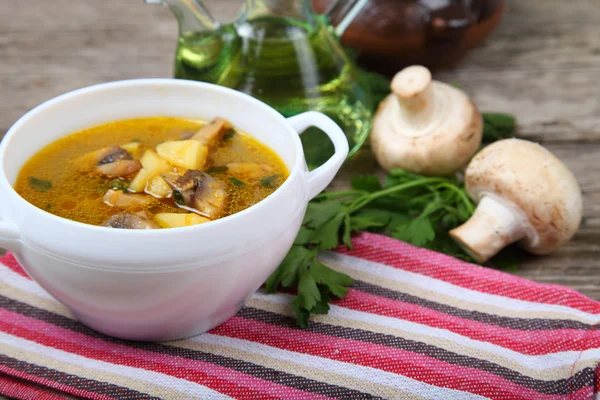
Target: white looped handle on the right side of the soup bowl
column 321, row 177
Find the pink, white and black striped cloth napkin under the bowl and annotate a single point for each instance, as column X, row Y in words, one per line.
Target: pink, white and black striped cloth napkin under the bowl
column 416, row 325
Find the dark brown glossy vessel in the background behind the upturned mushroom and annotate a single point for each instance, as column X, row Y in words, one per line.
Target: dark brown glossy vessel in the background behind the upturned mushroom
column 392, row 34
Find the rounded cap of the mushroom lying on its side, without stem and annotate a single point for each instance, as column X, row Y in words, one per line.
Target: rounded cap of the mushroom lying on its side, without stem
column 534, row 180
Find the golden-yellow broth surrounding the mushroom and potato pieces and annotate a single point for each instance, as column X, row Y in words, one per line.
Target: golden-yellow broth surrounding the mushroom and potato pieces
column 78, row 195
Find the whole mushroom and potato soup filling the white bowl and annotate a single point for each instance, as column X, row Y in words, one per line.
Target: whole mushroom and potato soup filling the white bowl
column 151, row 173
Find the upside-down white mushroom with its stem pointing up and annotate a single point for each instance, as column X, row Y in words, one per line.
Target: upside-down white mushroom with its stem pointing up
column 425, row 127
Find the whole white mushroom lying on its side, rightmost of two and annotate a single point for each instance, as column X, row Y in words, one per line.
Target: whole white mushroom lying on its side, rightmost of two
column 524, row 194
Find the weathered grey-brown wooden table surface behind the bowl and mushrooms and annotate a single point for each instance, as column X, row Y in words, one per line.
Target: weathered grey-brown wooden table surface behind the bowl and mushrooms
column 542, row 64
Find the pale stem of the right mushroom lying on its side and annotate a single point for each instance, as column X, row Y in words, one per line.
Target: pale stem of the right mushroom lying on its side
column 495, row 224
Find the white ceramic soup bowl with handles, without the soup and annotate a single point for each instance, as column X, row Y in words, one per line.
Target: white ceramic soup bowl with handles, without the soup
column 159, row 284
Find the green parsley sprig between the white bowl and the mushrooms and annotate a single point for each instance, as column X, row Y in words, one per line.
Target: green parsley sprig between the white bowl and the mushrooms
column 419, row 210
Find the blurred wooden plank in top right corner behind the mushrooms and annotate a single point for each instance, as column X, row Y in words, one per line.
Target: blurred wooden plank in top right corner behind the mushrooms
column 541, row 65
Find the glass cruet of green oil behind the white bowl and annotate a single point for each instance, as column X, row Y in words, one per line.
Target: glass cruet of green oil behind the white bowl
column 283, row 53
